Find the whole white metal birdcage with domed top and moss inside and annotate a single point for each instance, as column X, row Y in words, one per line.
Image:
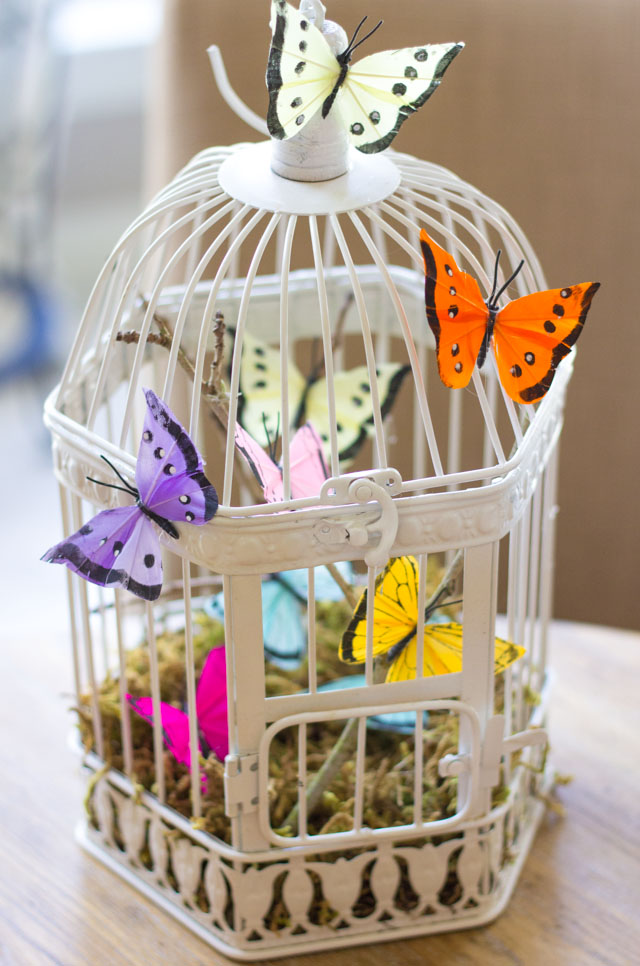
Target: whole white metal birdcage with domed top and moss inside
column 454, row 476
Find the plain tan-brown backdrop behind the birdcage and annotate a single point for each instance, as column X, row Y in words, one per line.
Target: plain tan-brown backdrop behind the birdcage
column 540, row 111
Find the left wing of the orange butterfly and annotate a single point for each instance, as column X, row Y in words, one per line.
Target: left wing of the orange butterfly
column 456, row 312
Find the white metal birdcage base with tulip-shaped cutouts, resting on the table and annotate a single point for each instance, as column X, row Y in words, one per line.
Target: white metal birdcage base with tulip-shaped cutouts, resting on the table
column 292, row 904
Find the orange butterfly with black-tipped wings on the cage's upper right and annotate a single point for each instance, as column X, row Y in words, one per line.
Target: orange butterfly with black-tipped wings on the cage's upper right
column 529, row 336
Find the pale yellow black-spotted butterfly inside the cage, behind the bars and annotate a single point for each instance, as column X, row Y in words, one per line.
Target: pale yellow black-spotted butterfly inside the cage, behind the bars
column 260, row 400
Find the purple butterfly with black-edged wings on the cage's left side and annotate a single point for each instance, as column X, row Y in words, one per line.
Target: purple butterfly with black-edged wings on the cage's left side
column 121, row 546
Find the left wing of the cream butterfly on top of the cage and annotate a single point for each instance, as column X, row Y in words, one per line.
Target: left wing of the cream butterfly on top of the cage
column 301, row 71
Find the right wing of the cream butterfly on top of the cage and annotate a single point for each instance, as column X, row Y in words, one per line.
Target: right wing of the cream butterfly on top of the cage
column 382, row 90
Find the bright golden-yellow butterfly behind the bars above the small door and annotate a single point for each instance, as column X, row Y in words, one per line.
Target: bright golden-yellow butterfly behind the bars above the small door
column 394, row 630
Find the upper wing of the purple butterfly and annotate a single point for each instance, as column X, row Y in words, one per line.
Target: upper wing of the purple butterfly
column 169, row 471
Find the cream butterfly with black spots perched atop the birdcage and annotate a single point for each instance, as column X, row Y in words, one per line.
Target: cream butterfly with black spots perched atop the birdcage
column 374, row 97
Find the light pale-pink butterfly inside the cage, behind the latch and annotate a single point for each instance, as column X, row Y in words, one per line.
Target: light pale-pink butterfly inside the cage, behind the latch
column 308, row 468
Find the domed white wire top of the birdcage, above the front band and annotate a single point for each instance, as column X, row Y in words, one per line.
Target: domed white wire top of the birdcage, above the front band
column 329, row 278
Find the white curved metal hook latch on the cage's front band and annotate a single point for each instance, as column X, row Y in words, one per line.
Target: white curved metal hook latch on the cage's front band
column 377, row 533
